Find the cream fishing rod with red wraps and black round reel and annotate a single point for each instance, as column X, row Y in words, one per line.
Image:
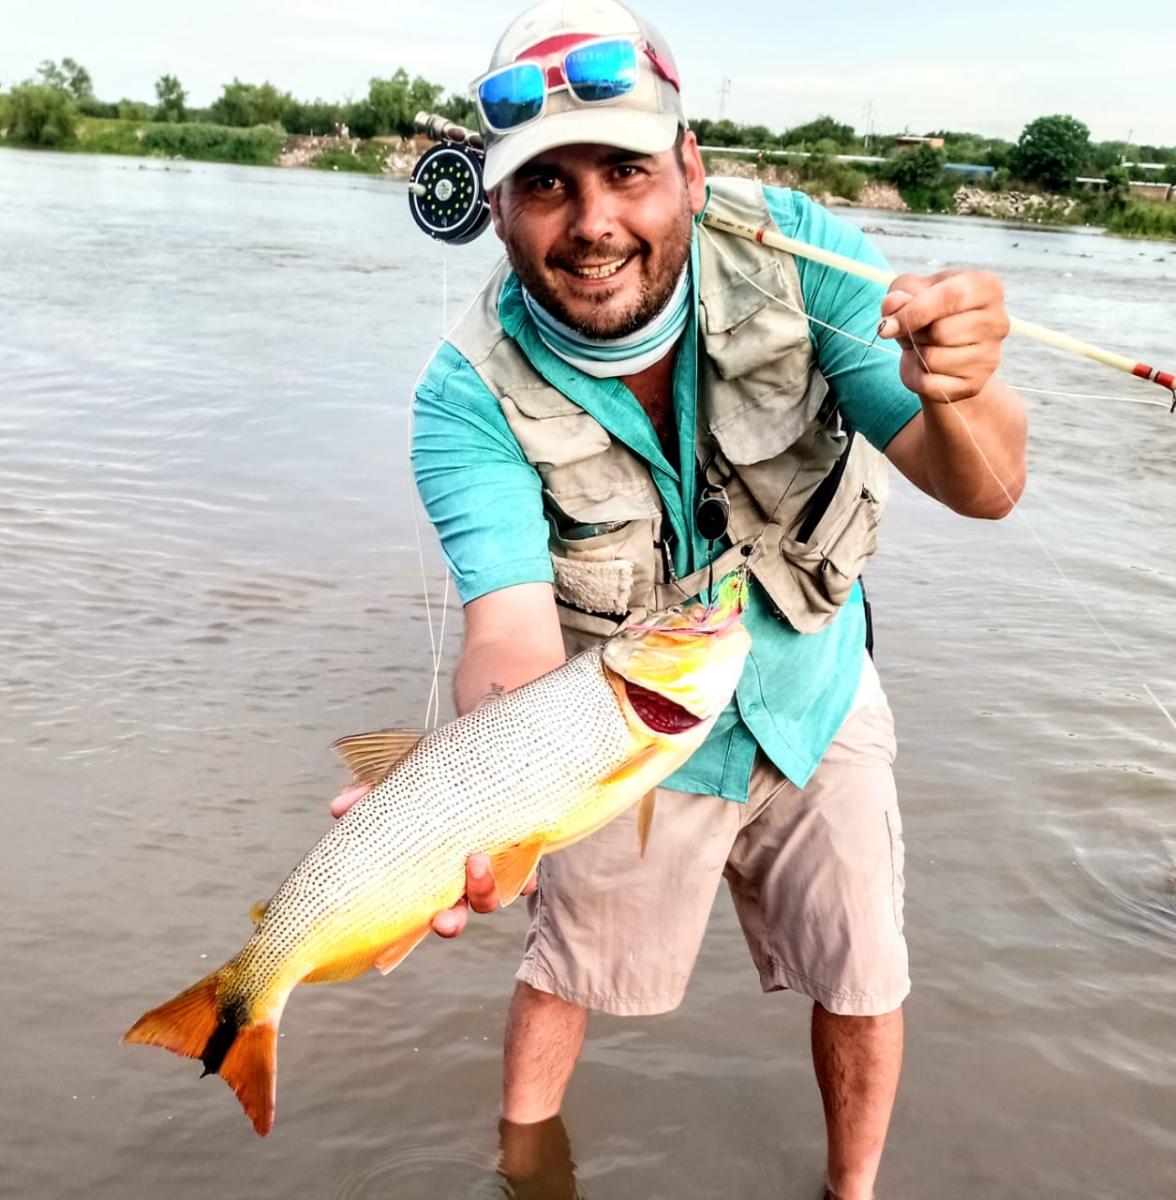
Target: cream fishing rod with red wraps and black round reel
column 448, row 201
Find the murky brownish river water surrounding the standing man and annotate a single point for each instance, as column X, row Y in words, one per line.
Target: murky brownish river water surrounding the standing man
column 209, row 571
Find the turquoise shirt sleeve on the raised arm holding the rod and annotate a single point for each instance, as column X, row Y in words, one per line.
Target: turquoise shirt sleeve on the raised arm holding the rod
column 865, row 382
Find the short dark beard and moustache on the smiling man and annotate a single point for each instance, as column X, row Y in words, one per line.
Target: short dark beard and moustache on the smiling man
column 661, row 271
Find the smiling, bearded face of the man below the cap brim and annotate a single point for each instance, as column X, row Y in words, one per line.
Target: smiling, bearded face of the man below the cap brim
column 599, row 236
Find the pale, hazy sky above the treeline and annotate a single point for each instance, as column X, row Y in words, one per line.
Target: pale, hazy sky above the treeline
column 987, row 68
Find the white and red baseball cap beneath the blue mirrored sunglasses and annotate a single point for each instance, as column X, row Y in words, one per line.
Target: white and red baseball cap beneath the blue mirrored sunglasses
column 646, row 121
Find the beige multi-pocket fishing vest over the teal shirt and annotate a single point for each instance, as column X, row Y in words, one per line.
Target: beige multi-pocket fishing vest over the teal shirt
column 806, row 494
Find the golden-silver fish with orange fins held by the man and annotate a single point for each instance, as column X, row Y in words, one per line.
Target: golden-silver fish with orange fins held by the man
column 519, row 778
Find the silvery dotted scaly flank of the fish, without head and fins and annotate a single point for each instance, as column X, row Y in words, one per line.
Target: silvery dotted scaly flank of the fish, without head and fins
column 485, row 782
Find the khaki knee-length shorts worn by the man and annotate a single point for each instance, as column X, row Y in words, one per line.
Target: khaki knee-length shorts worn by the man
column 817, row 878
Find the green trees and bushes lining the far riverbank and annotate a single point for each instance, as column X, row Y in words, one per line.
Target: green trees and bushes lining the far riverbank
column 249, row 123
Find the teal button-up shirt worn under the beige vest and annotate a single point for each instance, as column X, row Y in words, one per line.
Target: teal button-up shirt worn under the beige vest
column 485, row 500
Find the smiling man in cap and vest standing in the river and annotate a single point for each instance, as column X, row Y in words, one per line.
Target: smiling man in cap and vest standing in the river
column 627, row 365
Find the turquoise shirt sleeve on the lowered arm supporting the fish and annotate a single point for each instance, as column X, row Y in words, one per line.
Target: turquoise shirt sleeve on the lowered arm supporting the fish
column 479, row 491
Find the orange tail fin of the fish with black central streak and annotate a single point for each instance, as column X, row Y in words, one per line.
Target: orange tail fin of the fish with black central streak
column 196, row 1024
